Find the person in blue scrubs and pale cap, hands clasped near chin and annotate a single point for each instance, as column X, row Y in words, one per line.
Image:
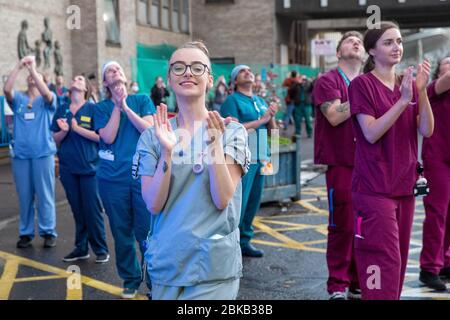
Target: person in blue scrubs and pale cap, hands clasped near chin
column 120, row 119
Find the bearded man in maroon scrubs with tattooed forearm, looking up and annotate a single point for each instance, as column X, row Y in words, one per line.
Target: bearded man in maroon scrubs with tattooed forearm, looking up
column 334, row 146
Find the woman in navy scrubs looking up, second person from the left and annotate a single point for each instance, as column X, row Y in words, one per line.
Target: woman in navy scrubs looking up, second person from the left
column 78, row 158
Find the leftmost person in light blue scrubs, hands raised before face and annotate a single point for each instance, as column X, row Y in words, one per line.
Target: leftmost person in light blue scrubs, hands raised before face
column 33, row 154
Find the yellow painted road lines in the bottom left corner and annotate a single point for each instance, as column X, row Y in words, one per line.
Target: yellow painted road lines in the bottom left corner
column 15, row 261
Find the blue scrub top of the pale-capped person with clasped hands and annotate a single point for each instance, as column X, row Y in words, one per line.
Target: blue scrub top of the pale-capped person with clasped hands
column 116, row 166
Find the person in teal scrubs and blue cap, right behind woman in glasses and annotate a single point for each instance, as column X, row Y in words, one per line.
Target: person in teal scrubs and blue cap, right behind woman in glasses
column 257, row 117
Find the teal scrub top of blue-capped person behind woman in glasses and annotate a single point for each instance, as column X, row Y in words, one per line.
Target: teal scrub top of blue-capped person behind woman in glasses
column 247, row 109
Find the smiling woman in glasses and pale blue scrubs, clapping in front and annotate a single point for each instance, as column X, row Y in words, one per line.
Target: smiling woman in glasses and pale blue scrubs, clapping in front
column 191, row 168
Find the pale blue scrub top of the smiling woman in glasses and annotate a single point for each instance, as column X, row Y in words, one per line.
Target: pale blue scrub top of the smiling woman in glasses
column 192, row 241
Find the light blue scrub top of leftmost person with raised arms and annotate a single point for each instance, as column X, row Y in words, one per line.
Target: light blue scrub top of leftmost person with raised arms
column 32, row 136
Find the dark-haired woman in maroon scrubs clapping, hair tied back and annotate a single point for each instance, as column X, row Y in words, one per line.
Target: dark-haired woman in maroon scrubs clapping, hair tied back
column 387, row 111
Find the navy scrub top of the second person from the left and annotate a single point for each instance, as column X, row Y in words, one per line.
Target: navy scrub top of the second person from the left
column 77, row 154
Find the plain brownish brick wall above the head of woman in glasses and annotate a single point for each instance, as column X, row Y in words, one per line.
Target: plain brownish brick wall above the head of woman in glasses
column 243, row 30
